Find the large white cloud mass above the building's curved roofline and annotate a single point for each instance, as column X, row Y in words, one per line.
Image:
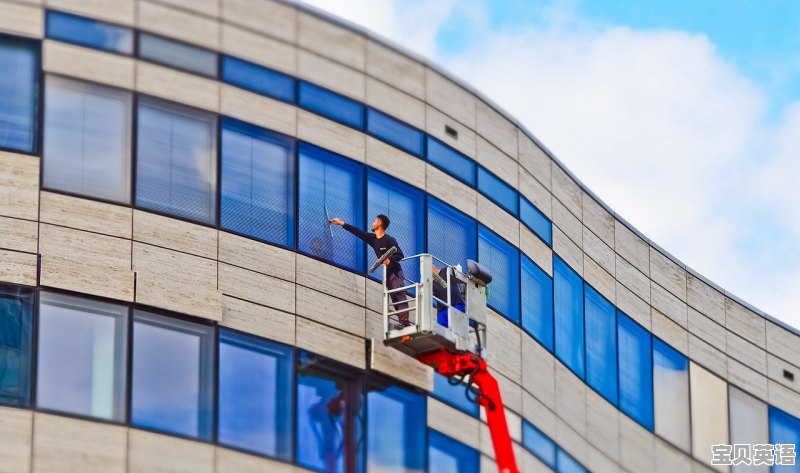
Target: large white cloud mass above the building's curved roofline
column 656, row 123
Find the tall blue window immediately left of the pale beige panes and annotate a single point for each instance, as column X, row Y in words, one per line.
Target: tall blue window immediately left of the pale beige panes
column 635, row 371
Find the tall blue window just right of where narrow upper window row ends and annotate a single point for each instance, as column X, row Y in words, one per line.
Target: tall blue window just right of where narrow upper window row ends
column 568, row 315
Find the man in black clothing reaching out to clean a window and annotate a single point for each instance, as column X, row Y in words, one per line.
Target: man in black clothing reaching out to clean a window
column 380, row 243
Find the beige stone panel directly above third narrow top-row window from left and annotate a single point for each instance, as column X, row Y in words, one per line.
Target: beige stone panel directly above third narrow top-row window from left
column 259, row 49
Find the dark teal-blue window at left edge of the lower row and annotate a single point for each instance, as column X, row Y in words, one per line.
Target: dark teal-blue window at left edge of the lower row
column 16, row 334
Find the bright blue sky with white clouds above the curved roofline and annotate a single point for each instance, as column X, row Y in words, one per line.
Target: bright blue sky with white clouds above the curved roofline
column 683, row 116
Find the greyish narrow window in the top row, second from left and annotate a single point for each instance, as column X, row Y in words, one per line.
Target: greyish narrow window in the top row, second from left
column 176, row 54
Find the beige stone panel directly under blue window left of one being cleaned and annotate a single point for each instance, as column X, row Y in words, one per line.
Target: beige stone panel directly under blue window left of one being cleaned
column 256, row 256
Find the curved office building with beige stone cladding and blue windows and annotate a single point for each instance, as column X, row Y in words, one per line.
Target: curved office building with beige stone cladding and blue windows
column 172, row 298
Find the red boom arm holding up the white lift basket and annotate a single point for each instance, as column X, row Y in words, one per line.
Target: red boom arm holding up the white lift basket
column 451, row 364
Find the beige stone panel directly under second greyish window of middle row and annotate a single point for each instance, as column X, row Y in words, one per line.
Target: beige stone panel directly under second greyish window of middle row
column 175, row 234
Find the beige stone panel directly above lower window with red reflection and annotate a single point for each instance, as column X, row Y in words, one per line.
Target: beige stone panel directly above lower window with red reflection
column 331, row 343
